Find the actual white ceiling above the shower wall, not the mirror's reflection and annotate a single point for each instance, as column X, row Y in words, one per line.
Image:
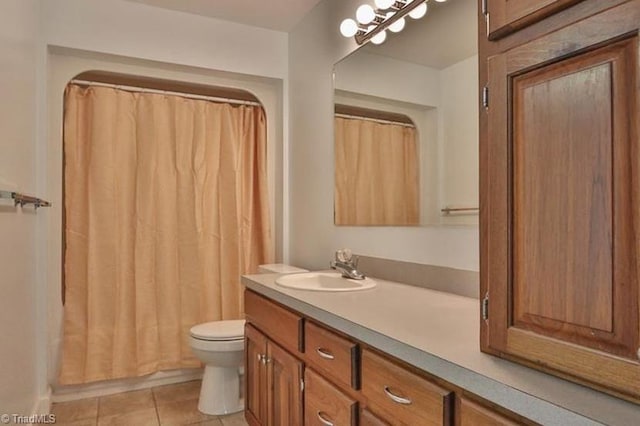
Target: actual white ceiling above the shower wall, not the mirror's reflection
column 279, row 15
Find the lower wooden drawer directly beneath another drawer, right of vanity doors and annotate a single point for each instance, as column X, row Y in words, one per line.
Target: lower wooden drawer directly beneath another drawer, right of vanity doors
column 325, row 405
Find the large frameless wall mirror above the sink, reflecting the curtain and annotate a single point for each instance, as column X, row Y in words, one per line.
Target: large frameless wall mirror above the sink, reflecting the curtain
column 406, row 124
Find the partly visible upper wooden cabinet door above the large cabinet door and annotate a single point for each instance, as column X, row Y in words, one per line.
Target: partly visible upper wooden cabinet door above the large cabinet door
column 506, row 16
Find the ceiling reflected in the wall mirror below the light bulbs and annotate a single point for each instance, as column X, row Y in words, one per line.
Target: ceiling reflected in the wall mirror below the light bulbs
column 446, row 35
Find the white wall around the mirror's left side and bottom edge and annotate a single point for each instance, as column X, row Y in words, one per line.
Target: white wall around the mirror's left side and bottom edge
column 314, row 46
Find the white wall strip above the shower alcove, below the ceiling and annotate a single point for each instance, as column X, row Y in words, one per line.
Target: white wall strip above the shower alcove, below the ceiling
column 139, row 31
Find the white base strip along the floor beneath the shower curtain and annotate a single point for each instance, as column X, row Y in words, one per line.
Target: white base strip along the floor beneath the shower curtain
column 91, row 390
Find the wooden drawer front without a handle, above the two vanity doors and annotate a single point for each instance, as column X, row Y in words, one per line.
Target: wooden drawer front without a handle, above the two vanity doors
column 280, row 324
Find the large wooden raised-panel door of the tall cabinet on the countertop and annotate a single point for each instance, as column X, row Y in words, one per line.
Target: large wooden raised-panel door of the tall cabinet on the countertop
column 562, row 202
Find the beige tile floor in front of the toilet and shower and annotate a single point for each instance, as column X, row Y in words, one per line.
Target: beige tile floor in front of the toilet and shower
column 173, row 405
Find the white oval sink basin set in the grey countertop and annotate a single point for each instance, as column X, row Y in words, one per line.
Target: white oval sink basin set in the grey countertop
column 324, row 281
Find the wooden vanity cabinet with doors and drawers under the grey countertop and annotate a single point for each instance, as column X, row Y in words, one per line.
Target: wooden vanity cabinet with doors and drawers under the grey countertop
column 333, row 381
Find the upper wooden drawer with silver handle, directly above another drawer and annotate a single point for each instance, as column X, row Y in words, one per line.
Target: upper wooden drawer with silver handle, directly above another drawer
column 332, row 355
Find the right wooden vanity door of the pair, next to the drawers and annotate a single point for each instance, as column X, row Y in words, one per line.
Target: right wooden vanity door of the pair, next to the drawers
column 284, row 387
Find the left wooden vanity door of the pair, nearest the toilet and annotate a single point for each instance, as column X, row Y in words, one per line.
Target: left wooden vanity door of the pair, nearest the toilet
column 255, row 376
